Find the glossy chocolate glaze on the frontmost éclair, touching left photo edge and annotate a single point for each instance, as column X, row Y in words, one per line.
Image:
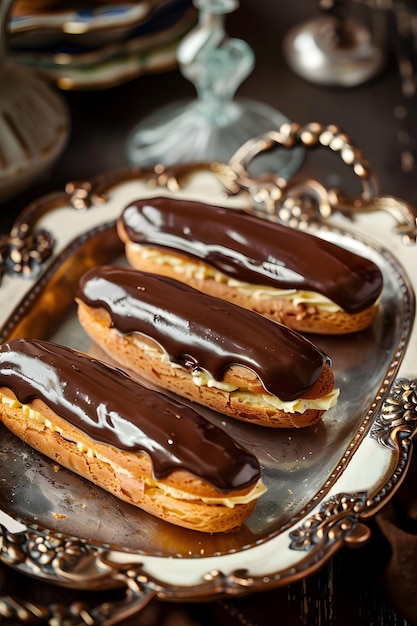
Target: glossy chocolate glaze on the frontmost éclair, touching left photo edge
column 112, row 408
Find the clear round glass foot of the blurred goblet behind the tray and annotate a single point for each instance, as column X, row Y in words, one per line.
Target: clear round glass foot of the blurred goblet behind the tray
column 199, row 131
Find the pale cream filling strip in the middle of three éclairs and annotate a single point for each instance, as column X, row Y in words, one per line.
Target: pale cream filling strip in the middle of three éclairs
column 202, row 378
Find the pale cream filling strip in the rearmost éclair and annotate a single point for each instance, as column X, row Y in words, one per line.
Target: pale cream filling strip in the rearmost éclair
column 190, row 269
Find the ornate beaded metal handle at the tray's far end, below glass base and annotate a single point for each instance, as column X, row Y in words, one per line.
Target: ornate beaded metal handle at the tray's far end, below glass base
column 276, row 195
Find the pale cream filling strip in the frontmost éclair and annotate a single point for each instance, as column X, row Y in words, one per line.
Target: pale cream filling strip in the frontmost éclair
column 148, row 481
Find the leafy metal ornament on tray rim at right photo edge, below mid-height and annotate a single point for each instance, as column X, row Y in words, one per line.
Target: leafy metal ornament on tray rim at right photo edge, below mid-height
column 398, row 416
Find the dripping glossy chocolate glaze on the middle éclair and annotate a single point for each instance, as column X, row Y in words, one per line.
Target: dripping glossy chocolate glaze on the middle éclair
column 199, row 331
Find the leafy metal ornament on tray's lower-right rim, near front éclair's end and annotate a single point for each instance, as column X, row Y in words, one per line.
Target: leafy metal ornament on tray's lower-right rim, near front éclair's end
column 332, row 523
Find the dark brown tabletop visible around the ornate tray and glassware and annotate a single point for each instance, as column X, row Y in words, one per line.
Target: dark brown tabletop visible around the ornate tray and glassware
column 372, row 585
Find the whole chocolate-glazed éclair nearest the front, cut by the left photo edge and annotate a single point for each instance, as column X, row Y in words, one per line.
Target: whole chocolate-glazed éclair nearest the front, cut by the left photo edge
column 138, row 444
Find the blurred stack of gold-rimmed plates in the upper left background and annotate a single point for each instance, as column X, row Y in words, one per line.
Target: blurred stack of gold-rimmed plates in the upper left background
column 99, row 44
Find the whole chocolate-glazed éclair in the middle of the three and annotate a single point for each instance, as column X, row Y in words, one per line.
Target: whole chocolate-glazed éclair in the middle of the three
column 211, row 351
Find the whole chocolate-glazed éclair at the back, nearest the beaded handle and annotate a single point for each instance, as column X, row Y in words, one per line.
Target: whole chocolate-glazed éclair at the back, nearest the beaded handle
column 296, row 278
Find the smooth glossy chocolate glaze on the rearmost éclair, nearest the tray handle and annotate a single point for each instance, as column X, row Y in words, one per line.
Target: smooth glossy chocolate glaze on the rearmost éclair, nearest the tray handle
column 248, row 249
